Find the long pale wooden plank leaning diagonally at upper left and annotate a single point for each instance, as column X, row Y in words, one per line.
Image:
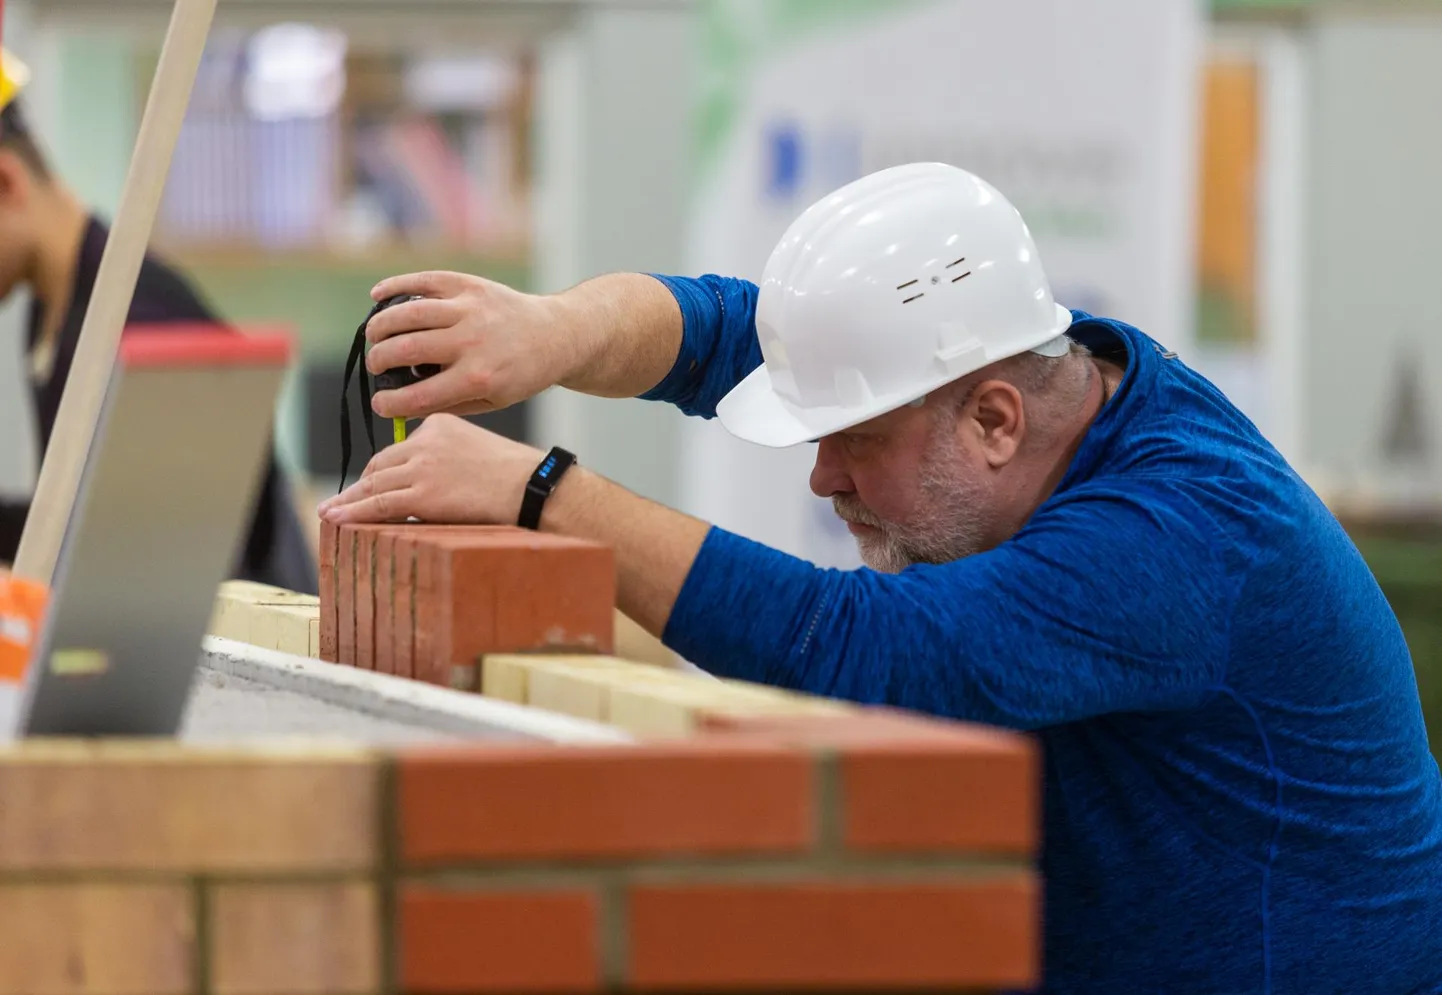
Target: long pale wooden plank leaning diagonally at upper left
column 115, row 288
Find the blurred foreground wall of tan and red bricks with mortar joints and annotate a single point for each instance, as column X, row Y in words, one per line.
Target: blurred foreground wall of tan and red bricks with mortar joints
column 869, row 853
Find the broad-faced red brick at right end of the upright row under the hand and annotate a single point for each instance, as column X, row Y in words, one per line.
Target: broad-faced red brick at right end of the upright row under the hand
column 513, row 592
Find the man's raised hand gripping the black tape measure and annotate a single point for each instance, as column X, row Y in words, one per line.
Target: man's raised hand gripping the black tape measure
column 495, row 345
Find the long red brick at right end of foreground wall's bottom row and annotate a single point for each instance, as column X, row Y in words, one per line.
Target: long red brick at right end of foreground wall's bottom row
column 836, row 935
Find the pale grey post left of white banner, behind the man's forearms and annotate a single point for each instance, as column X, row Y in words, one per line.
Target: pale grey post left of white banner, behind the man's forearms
column 615, row 151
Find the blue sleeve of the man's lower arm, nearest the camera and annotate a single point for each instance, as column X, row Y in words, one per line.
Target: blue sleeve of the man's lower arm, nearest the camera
column 1107, row 602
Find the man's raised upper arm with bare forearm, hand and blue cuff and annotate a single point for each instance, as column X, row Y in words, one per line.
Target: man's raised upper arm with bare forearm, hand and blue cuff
column 621, row 335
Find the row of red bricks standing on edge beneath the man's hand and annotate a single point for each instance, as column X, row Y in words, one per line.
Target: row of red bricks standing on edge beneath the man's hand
column 428, row 602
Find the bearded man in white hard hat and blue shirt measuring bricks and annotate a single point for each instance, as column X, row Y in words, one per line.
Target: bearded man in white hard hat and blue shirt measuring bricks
column 1072, row 536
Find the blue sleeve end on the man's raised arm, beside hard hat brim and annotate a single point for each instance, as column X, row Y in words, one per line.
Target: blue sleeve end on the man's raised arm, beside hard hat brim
column 719, row 344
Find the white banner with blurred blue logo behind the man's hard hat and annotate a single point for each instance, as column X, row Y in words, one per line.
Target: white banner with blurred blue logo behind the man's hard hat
column 1084, row 115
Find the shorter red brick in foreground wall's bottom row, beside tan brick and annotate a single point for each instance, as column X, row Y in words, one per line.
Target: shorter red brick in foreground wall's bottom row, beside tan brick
column 498, row 942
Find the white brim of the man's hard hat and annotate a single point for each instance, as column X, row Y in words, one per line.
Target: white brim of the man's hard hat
column 755, row 413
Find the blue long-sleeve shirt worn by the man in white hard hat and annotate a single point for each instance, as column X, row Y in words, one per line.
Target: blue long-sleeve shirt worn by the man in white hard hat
column 1239, row 794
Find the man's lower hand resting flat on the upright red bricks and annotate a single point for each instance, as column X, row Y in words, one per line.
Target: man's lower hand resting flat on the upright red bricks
column 449, row 472
